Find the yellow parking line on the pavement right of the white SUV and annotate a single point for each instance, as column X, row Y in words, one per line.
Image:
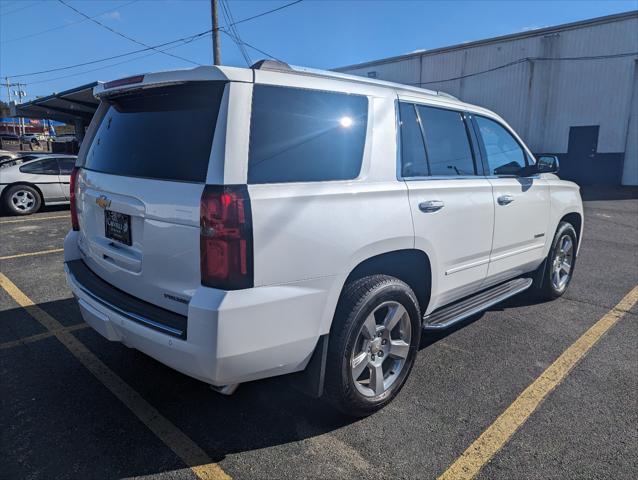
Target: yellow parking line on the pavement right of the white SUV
column 481, row 451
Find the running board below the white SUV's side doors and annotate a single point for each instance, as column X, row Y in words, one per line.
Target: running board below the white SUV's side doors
column 448, row 316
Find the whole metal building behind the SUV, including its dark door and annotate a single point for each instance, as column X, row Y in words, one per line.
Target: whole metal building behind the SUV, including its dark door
column 569, row 90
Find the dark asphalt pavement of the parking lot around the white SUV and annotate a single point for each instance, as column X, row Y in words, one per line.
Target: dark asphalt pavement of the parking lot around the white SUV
column 60, row 419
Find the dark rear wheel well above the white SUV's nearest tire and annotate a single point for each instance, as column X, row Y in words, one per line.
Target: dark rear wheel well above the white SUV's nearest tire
column 410, row 266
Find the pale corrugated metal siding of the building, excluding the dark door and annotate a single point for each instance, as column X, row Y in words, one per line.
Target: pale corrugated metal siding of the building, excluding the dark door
column 541, row 99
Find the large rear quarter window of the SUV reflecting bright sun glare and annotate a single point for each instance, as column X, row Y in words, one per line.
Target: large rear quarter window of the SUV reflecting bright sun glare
column 305, row 136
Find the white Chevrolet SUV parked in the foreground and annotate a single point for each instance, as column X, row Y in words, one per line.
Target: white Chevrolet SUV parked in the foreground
column 237, row 224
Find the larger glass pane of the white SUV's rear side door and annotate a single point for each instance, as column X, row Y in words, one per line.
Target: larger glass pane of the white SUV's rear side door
column 447, row 142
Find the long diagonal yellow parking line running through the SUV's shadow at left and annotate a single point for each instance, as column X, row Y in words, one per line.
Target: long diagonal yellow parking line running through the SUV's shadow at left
column 190, row 453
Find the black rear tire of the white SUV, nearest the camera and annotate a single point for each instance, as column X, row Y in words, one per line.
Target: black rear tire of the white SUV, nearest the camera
column 359, row 300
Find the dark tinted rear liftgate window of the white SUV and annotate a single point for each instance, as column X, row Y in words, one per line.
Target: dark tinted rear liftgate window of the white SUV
column 164, row 133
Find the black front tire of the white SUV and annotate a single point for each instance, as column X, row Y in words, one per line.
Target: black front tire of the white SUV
column 544, row 288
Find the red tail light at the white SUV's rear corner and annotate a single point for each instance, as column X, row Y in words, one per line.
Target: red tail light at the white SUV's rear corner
column 226, row 237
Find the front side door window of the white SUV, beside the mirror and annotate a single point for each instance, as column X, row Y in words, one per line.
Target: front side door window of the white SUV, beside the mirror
column 504, row 155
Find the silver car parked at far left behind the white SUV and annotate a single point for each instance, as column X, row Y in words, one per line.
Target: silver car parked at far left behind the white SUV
column 25, row 186
